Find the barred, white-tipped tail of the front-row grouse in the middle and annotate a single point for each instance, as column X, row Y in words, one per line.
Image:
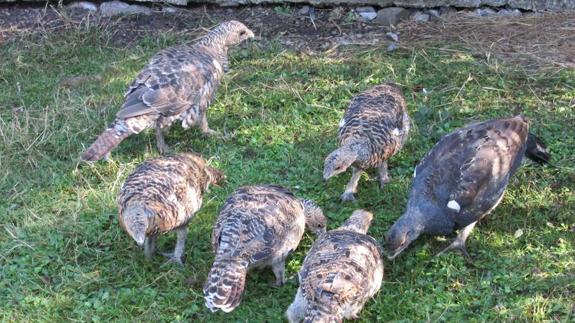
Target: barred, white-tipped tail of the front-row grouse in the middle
column 225, row 285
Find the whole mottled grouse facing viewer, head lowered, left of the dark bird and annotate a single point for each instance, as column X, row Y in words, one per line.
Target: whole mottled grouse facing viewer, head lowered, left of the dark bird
column 374, row 128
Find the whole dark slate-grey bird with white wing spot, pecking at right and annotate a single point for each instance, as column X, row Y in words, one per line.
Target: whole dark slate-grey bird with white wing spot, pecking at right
column 462, row 179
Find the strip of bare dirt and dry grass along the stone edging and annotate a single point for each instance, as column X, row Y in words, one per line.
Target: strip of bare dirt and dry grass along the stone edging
column 533, row 42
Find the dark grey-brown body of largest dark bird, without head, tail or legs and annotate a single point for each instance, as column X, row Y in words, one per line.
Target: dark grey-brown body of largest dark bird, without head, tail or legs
column 467, row 171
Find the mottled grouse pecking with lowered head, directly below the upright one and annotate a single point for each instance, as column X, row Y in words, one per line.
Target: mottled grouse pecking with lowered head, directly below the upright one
column 162, row 195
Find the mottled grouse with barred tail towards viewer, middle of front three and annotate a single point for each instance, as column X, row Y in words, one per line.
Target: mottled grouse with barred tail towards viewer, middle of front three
column 257, row 226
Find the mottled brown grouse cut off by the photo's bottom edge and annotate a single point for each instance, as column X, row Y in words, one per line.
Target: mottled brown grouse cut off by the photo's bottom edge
column 343, row 269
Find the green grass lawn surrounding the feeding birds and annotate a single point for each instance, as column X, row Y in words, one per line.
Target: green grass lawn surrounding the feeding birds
column 64, row 257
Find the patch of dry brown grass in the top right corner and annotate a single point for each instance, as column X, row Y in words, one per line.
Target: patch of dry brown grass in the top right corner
column 532, row 43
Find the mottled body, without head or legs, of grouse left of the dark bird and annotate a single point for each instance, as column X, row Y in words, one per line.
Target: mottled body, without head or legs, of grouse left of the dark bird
column 378, row 116
